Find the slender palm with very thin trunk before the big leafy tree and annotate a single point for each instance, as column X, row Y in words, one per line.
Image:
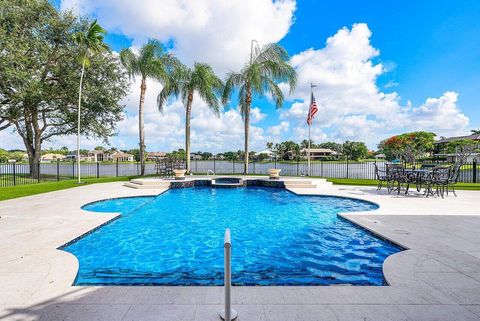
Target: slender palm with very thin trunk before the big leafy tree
column 90, row 42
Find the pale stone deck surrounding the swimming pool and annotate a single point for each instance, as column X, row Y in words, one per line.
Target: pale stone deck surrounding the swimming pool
column 437, row 278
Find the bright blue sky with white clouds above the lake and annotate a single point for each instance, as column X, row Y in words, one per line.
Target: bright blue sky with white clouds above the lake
column 389, row 66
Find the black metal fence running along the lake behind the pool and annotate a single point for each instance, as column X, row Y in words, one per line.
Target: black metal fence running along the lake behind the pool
column 13, row 174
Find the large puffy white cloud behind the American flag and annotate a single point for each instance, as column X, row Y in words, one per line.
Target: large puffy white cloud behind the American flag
column 351, row 104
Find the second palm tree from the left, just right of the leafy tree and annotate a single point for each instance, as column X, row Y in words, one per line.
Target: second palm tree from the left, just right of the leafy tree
column 151, row 62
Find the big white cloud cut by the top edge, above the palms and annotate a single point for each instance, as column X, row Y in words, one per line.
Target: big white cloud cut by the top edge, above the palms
column 214, row 31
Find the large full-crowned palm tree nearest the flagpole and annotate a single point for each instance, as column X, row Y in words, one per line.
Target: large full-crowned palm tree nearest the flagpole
column 267, row 67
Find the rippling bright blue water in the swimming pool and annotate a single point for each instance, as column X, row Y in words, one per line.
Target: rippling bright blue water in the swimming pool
column 278, row 238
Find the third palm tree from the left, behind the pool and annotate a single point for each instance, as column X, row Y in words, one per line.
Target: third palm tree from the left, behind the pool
column 184, row 83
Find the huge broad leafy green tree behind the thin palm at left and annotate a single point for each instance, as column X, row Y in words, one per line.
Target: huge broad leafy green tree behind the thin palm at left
column 39, row 77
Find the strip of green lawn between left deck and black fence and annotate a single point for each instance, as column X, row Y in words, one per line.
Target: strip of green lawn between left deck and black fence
column 32, row 189
